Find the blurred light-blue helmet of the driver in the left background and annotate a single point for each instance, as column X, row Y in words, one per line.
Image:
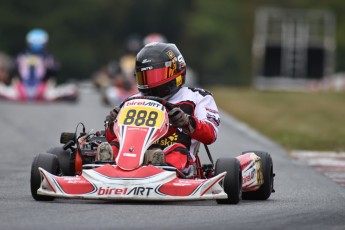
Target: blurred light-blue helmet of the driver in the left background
column 37, row 40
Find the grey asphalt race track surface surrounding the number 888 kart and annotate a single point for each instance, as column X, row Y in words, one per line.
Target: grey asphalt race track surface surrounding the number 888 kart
column 304, row 198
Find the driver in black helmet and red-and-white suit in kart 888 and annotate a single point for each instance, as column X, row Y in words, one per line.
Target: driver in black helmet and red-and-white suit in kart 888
column 160, row 71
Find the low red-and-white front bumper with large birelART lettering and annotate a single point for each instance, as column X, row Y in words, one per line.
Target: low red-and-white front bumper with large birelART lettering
column 144, row 183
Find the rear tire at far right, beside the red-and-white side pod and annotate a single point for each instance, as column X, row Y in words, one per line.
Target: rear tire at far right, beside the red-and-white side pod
column 264, row 192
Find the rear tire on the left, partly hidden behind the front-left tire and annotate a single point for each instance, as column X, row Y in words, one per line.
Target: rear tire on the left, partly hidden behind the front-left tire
column 65, row 162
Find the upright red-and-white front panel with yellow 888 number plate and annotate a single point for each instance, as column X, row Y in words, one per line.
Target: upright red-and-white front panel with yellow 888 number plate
column 139, row 123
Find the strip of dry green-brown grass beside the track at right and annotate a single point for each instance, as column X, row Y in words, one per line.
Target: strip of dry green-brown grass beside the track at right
column 296, row 120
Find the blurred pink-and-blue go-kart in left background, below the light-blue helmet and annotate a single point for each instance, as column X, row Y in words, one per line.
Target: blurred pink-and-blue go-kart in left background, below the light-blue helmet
column 29, row 84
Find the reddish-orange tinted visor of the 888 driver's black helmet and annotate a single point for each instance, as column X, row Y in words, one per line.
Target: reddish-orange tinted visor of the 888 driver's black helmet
column 151, row 78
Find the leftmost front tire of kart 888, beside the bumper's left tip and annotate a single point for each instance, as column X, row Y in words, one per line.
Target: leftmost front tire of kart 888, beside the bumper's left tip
column 48, row 162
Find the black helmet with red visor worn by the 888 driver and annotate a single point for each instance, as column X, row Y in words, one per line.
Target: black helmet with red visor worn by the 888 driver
column 160, row 69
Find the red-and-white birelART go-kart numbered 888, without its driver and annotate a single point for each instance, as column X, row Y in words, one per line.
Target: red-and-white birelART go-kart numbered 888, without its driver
column 73, row 171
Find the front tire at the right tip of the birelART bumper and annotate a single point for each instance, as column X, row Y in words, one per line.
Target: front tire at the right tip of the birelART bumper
column 232, row 183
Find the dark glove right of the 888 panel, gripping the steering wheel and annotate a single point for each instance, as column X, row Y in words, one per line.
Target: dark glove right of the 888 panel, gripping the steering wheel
column 180, row 119
